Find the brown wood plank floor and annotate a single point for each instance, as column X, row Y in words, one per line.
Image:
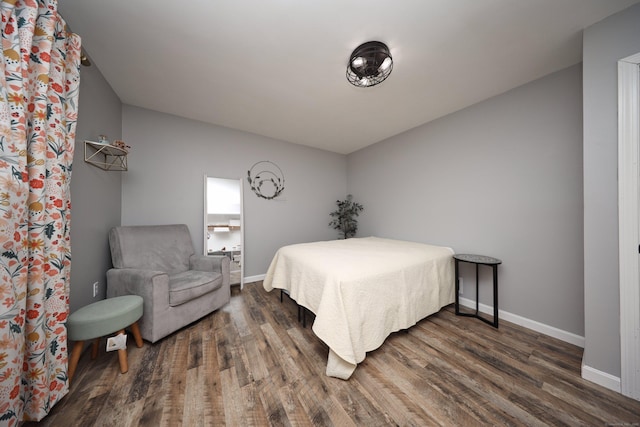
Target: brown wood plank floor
column 252, row 364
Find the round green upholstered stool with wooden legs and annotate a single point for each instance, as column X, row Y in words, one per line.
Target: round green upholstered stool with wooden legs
column 106, row 317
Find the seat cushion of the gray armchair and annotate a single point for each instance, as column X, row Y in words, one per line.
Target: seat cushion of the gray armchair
column 191, row 284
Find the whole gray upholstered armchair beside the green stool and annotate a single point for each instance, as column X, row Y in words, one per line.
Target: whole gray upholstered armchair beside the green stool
column 158, row 263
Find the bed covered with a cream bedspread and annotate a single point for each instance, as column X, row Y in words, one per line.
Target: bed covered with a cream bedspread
column 362, row 289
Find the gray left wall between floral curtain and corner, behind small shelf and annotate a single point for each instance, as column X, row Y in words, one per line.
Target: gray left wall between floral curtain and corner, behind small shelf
column 95, row 194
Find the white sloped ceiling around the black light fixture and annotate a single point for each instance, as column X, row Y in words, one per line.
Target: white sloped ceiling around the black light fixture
column 277, row 67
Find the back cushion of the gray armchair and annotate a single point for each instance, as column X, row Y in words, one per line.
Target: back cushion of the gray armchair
column 164, row 248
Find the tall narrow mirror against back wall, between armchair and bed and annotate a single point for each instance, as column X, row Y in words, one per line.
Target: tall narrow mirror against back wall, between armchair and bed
column 223, row 223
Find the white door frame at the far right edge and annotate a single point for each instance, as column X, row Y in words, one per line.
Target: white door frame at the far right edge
column 629, row 228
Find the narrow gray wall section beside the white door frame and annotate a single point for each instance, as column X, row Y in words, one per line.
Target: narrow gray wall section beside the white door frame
column 604, row 44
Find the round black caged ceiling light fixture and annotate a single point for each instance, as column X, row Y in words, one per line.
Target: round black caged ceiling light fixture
column 369, row 64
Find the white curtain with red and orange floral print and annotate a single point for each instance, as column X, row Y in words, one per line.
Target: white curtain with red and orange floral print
column 39, row 82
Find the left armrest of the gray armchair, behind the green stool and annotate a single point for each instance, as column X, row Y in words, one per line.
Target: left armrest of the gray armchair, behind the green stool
column 151, row 285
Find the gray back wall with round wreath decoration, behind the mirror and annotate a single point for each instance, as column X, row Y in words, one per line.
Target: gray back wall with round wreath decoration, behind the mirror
column 165, row 182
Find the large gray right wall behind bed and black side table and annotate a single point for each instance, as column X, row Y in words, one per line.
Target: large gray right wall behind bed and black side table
column 501, row 178
